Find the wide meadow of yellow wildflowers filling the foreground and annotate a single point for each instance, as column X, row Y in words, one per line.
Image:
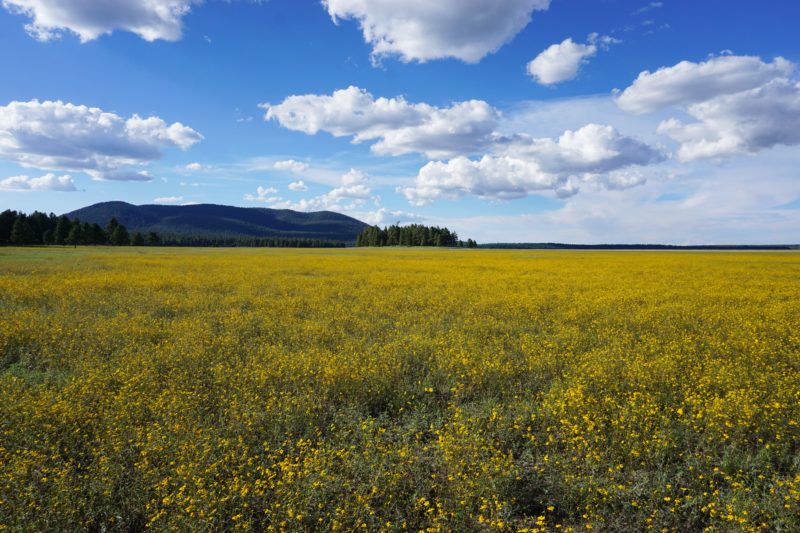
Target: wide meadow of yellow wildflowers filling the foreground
column 398, row 389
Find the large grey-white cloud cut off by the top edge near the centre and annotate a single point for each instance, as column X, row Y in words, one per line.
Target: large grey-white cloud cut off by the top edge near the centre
column 421, row 30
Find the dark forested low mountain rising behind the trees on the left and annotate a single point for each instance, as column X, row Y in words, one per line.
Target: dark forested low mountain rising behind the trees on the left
column 210, row 220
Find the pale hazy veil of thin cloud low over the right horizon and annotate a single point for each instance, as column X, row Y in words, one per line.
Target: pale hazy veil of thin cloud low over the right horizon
column 739, row 202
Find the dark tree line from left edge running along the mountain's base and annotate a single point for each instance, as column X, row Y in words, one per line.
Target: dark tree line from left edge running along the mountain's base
column 20, row 229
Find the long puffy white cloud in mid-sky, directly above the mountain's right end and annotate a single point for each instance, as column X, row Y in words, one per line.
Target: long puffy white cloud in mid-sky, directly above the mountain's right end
column 398, row 127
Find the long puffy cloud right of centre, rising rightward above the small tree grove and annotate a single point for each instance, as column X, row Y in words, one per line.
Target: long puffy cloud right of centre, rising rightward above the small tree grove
column 594, row 154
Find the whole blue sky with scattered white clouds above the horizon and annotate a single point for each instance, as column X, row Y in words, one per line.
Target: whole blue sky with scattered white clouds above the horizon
column 510, row 120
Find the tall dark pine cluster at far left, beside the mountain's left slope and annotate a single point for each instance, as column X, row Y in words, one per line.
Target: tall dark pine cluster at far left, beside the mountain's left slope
column 20, row 229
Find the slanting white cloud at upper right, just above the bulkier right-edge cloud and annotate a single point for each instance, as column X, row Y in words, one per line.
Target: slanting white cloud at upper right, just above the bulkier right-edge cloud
column 687, row 83
